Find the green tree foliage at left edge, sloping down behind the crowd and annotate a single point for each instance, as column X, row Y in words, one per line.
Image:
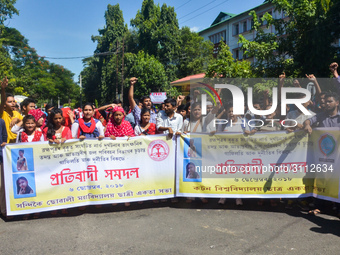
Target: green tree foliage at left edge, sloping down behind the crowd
column 30, row 74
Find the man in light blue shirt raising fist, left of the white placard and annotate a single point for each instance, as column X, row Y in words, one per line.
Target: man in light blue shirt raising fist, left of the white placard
column 146, row 102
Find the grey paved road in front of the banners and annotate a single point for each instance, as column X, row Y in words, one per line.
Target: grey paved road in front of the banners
column 174, row 229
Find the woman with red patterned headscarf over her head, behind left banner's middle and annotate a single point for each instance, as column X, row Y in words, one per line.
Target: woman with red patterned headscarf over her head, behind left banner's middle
column 118, row 126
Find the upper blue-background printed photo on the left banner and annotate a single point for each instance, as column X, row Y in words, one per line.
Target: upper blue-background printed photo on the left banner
column 22, row 160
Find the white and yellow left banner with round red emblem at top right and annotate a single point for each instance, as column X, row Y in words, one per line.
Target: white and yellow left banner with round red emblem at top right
column 41, row 177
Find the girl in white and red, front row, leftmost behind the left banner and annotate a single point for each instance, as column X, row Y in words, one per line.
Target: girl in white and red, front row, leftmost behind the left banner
column 30, row 132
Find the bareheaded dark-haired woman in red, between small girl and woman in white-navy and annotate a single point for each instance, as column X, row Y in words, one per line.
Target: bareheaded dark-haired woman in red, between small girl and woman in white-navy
column 55, row 131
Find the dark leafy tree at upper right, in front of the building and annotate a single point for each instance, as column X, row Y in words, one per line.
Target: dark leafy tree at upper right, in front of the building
column 303, row 42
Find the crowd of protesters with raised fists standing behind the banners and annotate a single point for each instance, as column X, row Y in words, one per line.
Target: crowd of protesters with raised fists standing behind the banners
column 26, row 123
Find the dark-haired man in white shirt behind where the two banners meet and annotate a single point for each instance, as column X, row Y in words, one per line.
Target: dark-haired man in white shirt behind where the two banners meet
column 168, row 121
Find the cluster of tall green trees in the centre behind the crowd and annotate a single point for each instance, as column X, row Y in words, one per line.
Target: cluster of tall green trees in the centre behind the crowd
column 155, row 50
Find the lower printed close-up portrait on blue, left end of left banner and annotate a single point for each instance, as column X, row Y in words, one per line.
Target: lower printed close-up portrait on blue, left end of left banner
column 24, row 185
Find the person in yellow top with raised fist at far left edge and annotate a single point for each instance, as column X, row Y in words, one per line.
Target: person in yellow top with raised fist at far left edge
column 7, row 112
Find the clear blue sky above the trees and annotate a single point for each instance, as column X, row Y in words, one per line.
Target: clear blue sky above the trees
column 60, row 29
